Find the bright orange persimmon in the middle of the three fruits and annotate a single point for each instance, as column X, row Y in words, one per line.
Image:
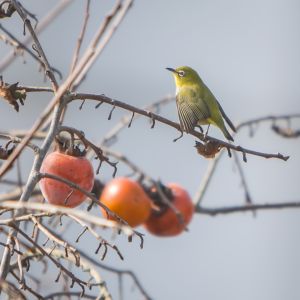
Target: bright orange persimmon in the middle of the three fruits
column 127, row 199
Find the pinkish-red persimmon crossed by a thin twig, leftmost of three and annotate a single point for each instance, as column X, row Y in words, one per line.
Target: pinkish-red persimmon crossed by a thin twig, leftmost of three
column 75, row 169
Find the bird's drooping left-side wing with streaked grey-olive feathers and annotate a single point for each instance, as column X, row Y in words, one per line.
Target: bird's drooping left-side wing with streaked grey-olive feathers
column 191, row 109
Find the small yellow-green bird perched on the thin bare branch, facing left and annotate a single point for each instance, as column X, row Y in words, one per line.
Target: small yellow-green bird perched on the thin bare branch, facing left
column 196, row 104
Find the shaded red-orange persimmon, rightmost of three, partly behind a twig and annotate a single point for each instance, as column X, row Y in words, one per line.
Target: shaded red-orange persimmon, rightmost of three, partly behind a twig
column 165, row 222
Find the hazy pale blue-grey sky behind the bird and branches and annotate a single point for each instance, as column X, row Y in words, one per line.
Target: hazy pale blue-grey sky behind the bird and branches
column 247, row 52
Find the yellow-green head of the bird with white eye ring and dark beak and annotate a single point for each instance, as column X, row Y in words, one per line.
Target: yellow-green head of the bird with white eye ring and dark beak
column 185, row 76
